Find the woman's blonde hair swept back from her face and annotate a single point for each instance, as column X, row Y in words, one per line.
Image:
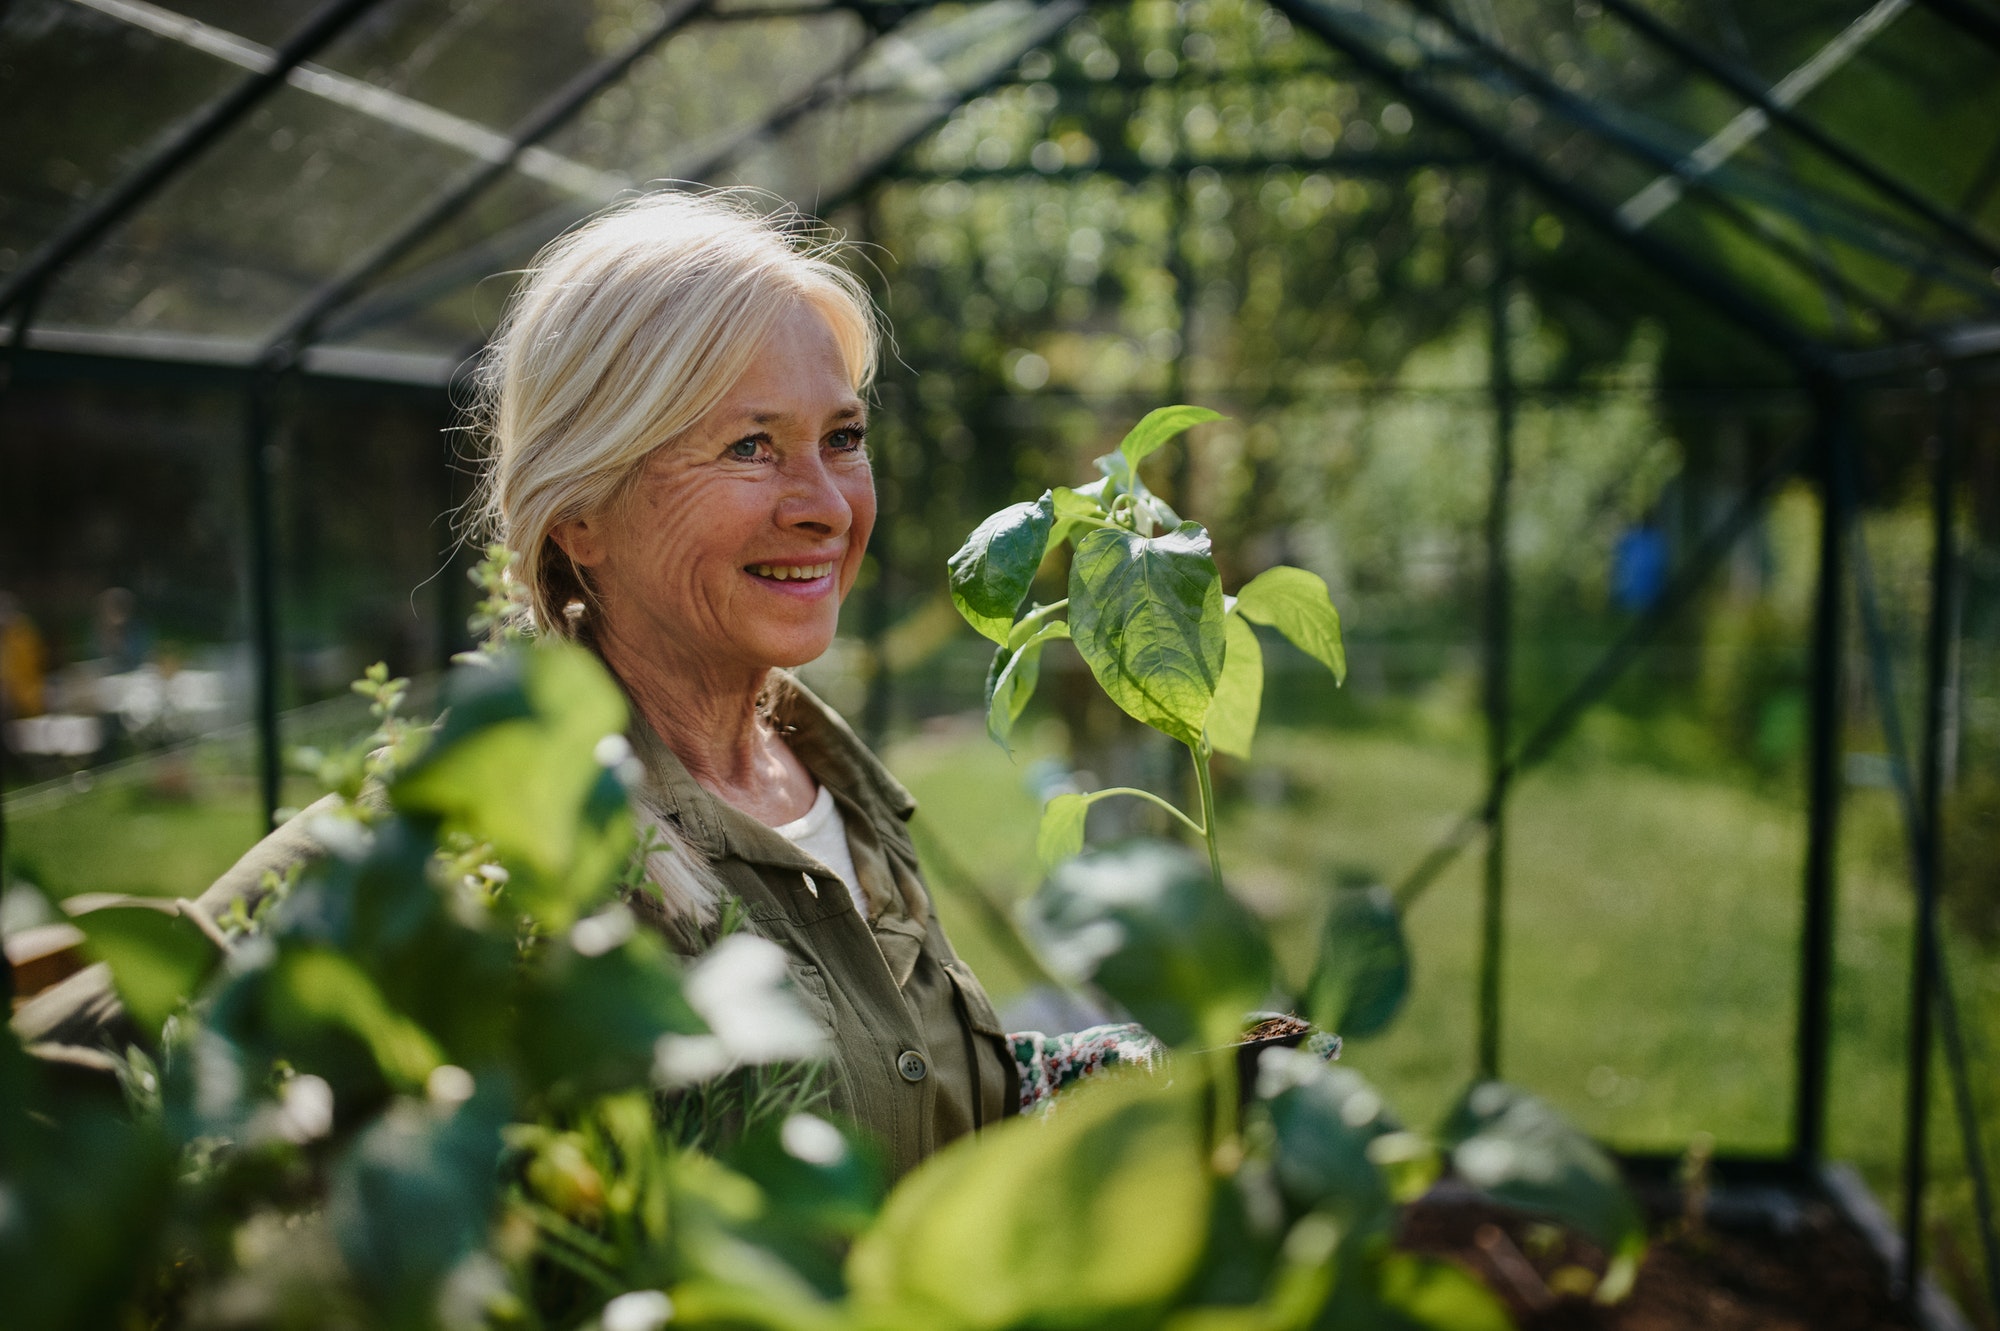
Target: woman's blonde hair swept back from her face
column 625, row 333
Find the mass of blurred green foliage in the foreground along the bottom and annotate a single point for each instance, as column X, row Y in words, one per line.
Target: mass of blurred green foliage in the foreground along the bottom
column 425, row 1090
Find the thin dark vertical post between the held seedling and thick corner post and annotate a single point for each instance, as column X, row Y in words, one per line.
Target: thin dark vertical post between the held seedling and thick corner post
column 1499, row 631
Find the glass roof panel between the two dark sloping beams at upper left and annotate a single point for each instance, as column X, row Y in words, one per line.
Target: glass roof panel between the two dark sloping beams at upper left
column 331, row 169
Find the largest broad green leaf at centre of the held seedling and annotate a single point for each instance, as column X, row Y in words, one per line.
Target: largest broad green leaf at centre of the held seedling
column 1147, row 619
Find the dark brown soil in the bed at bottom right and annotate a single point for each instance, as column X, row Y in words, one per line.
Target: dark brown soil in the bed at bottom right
column 1793, row 1266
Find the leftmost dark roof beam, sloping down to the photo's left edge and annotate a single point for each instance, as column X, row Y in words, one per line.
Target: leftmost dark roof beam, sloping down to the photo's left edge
column 25, row 287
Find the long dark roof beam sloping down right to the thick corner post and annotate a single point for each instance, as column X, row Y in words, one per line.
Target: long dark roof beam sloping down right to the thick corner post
column 1677, row 265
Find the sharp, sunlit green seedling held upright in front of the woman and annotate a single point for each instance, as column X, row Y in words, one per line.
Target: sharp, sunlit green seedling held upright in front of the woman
column 1149, row 617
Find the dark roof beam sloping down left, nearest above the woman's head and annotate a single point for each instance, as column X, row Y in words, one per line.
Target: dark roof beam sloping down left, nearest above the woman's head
column 545, row 121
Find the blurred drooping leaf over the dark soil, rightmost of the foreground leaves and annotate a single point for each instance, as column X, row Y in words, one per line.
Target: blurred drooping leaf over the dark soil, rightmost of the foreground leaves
column 1525, row 1154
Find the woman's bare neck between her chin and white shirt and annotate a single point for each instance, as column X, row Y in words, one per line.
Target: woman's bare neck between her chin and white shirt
column 709, row 718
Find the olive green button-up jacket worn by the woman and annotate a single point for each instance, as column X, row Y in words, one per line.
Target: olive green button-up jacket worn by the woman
column 919, row 1056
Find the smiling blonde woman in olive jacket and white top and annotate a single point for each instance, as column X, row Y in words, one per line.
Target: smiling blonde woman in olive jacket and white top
column 679, row 465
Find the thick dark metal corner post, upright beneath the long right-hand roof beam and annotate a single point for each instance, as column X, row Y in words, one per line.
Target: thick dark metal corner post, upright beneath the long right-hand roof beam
column 1823, row 780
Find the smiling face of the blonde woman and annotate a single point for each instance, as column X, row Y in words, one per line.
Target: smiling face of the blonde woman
column 737, row 545
